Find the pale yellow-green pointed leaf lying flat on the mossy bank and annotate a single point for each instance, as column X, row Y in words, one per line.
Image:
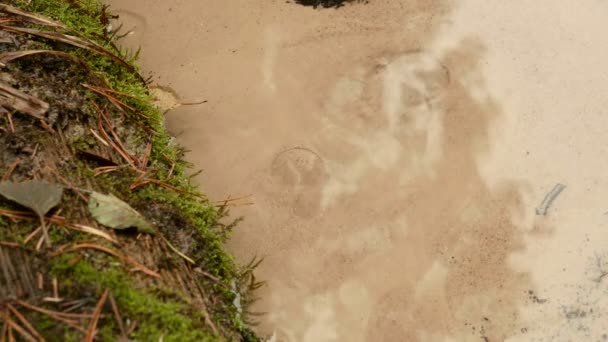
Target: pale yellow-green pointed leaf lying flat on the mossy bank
column 114, row 213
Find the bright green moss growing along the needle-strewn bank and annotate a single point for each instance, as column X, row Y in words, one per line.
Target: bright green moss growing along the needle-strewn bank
column 171, row 319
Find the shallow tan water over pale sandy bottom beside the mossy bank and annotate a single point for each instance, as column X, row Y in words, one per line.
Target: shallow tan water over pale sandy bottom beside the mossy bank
column 398, row 154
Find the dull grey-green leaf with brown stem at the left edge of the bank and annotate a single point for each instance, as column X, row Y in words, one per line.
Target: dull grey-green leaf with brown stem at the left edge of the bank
column 39, row 196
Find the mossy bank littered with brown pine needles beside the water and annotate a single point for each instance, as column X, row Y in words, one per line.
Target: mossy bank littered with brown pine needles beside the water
column 101, row 133
